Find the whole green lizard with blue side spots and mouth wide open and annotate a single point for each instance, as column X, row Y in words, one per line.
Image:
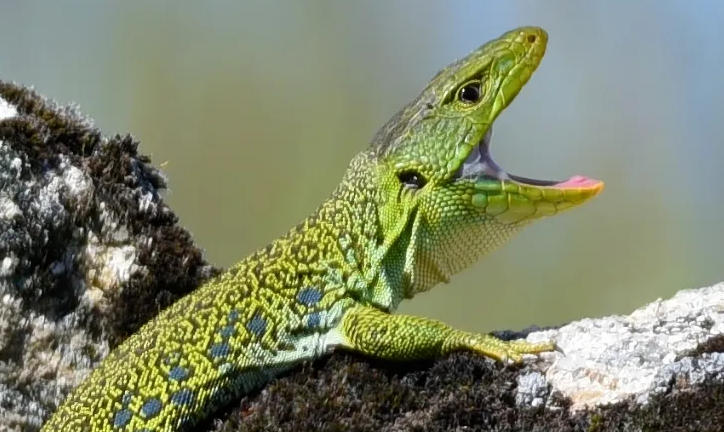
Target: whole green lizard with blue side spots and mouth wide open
column 423, row 202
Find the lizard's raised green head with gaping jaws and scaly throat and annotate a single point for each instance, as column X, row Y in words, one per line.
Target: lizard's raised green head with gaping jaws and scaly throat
column 444, row 202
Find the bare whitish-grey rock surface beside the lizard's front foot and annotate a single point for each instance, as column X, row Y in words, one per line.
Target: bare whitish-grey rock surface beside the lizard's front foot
column 610, row 359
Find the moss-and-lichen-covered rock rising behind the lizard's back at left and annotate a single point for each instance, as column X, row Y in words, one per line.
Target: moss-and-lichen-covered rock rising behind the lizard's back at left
column 84, row 240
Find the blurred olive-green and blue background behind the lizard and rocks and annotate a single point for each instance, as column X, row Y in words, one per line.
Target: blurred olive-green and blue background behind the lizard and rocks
column 257, row 106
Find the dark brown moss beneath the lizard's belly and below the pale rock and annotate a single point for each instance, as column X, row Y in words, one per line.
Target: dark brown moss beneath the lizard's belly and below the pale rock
column 462, row 392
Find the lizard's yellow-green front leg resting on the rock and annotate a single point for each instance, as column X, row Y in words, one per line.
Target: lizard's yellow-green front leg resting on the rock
column 404, row 337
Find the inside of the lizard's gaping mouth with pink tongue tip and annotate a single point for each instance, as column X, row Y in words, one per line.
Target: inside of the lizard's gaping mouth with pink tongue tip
column 480, row 163
